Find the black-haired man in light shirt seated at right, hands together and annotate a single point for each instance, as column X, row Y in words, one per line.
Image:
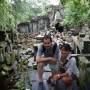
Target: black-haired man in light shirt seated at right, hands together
column 69, row 72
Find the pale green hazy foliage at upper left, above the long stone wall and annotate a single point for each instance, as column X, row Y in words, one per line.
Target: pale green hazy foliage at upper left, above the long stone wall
column 19, row 11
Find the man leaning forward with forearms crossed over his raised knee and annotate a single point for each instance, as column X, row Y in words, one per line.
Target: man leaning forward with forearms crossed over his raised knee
column 48, row 53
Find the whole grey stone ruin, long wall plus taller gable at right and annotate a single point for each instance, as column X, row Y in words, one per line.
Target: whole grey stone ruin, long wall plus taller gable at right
column 40, row 23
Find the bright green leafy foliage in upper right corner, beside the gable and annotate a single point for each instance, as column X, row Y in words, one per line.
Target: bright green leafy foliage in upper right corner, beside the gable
column 77, row 12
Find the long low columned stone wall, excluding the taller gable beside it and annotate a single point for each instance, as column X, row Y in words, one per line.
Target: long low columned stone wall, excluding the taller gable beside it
column 35, row 25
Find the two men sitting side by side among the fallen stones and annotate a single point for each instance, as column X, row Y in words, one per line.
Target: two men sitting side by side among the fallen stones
column 63, row 66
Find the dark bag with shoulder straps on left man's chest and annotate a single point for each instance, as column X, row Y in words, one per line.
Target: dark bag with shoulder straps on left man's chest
column 49, row 53
